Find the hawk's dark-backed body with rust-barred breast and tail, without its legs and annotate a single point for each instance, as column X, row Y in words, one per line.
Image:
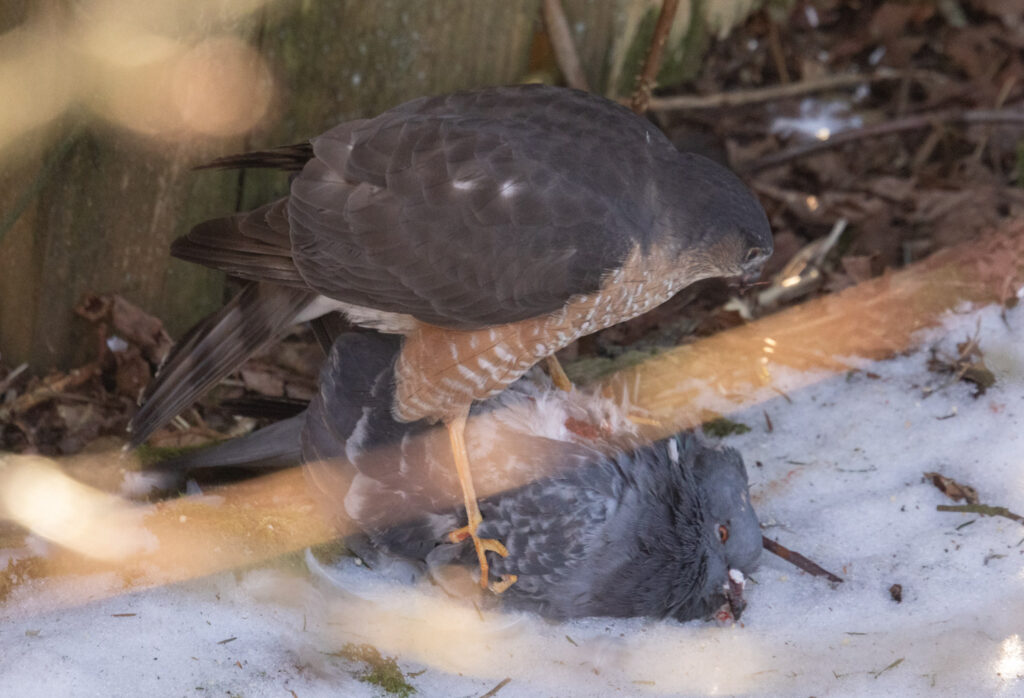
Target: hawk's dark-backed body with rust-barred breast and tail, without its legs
column 489, row 228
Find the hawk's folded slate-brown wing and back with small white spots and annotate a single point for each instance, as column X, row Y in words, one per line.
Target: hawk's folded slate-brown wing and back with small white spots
column 478, row 208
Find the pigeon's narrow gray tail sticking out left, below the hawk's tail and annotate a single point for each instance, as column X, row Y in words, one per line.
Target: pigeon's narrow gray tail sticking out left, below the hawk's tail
column 273, row 448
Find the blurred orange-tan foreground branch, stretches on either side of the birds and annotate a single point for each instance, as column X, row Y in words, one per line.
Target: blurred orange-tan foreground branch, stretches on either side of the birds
column 248, row 523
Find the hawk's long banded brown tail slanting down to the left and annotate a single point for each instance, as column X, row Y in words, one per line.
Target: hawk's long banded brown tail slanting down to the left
column 216, row 347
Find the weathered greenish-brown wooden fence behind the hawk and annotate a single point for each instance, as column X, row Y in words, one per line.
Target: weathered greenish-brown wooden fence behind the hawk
column 87, row 206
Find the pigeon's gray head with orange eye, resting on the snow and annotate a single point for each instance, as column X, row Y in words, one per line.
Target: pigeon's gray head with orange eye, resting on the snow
column 731, row 534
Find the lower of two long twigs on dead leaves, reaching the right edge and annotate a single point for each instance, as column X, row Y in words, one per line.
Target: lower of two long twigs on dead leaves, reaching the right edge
column 1010, row 115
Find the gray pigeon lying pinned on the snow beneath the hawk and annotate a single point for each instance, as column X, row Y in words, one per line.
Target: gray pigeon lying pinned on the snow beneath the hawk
column 604, row 526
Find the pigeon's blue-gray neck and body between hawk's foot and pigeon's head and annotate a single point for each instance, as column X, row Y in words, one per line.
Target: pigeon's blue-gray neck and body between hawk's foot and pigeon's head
column 617, row 536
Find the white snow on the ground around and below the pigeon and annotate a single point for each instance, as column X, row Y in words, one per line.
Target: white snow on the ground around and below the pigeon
column 838, row 478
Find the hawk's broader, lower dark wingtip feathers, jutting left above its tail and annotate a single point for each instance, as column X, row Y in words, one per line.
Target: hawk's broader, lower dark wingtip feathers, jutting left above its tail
column 254, row 246
